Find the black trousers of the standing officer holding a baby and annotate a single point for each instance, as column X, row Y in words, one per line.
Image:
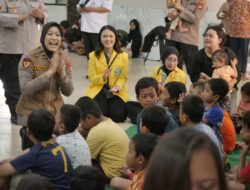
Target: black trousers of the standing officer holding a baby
column 187, row 53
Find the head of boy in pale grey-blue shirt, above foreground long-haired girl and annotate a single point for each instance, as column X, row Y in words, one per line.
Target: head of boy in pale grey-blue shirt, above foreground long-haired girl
column 191, row 109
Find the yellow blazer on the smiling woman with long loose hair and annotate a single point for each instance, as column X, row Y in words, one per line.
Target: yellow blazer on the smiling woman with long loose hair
column 118, row 75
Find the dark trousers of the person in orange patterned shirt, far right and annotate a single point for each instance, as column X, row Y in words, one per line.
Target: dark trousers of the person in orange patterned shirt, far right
column 240, row 48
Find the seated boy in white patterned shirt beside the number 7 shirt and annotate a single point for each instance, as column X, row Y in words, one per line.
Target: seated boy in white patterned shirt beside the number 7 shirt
column 67, row 121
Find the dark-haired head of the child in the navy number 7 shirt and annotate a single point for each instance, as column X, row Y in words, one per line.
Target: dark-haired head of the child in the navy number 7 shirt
column 40, row 125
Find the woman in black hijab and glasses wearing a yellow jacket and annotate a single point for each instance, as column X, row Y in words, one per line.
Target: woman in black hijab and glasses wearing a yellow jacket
column 169, row 71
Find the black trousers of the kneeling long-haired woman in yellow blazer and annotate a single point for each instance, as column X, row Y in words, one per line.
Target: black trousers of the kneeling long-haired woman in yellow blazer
column 113, row 108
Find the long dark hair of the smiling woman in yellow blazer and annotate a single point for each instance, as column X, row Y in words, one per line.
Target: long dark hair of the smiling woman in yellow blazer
column 100, row 46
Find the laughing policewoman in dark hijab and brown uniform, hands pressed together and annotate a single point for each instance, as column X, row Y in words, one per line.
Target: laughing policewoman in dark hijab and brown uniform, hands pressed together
column 44, row 73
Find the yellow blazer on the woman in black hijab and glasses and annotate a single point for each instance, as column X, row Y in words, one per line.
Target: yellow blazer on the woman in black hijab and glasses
column 176, row 75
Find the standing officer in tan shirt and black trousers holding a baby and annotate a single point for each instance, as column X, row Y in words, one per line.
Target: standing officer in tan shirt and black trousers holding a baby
column 190, row 12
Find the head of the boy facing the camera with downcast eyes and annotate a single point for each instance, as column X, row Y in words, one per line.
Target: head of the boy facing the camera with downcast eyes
column 146, row 90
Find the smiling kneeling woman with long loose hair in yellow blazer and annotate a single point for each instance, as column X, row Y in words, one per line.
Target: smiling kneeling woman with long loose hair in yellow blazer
column 108, row 74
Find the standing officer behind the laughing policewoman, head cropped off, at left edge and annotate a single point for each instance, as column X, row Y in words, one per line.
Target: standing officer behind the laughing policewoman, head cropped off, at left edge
column 19, row 33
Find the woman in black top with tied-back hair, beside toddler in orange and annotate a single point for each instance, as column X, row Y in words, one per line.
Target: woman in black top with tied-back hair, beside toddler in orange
column 214, row 37
